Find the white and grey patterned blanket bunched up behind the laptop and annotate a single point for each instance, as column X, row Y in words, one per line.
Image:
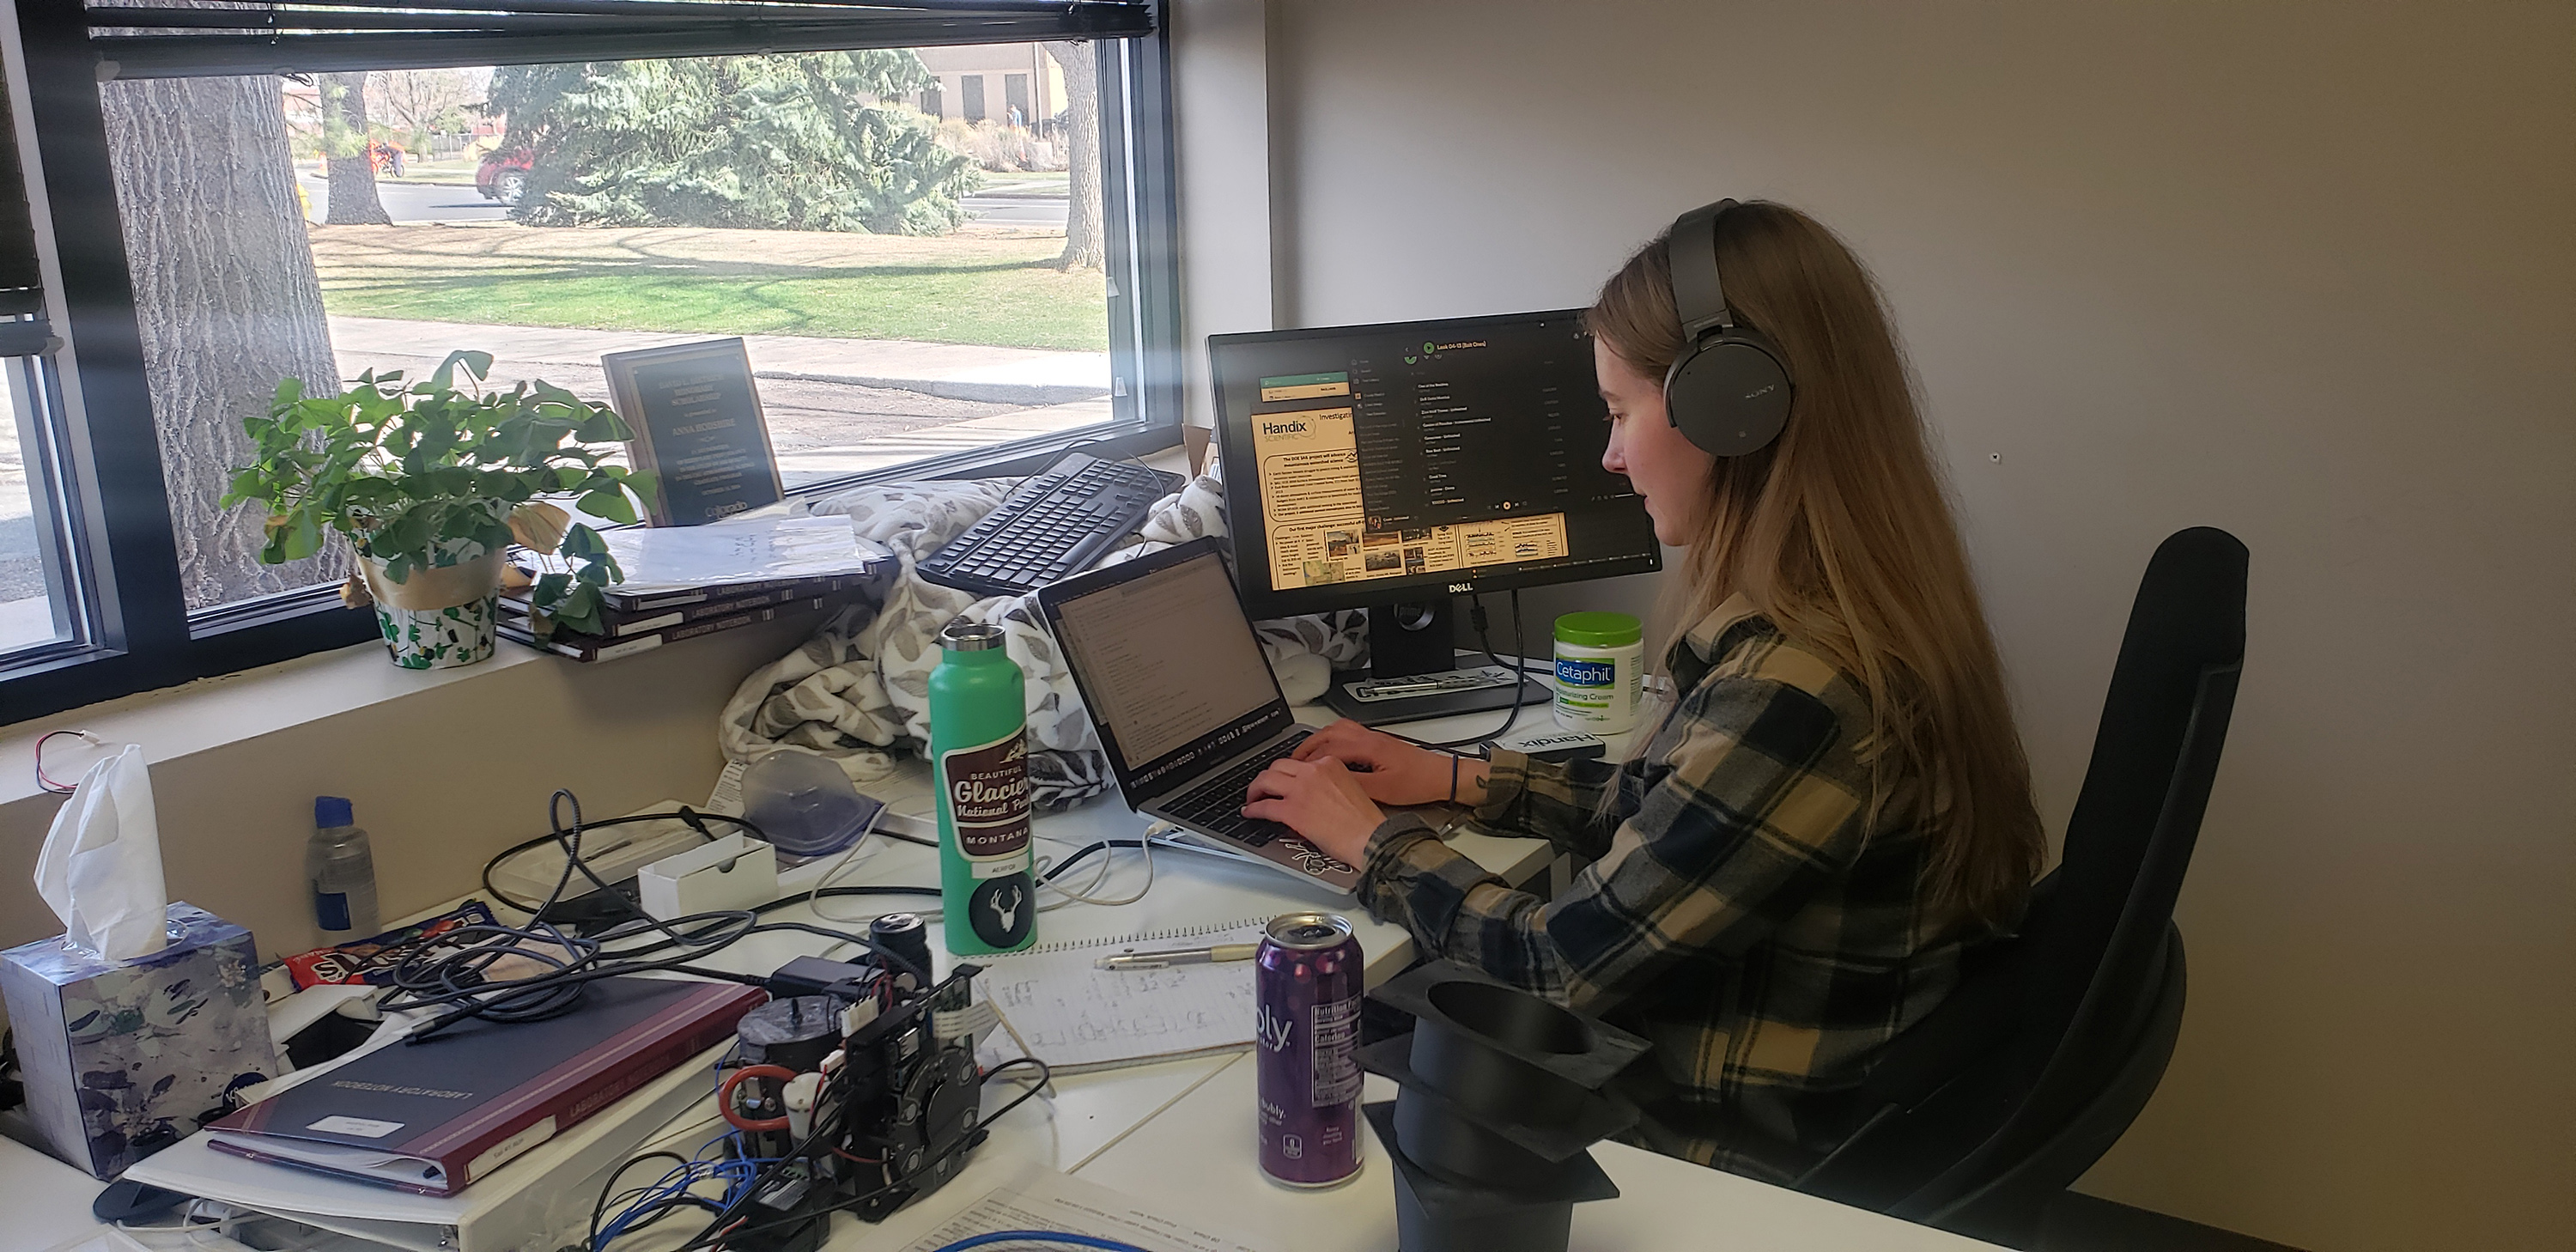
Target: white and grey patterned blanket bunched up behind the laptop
column 859, row 689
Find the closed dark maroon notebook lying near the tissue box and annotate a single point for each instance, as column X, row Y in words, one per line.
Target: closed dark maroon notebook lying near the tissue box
column 444, row 1114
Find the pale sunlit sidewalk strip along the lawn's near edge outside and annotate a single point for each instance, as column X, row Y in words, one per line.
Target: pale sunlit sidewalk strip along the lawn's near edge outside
column 942, row 370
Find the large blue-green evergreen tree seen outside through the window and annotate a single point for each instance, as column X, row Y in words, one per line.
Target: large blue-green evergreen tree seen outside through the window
column 772, row 143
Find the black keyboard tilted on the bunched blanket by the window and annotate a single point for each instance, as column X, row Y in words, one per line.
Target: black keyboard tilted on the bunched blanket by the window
column 1055, row 524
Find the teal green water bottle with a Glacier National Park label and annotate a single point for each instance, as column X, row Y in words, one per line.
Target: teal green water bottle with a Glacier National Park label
column 980, row 764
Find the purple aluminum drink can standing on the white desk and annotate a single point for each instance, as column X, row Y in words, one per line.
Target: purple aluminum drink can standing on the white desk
column 1307, row 998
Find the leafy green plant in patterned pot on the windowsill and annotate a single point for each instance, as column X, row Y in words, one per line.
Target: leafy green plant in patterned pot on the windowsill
column 434, row 483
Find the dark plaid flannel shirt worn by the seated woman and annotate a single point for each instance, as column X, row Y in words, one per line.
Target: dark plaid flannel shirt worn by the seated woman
column 1745, row 913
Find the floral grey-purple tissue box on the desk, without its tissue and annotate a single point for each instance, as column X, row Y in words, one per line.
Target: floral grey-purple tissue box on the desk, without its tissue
column 125, row 1058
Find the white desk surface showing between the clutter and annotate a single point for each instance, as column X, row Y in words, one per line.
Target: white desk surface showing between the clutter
column 1179, row 1135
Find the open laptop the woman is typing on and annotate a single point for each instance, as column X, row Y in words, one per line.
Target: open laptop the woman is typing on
column 1184, row 697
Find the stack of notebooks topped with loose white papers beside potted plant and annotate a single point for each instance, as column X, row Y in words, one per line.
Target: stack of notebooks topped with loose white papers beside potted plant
column 715, row 578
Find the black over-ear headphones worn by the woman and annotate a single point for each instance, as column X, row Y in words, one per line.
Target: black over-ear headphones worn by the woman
column 1730, row 388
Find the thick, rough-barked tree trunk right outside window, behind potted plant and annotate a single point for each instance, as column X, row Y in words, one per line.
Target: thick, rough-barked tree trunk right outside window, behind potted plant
column 228, row 305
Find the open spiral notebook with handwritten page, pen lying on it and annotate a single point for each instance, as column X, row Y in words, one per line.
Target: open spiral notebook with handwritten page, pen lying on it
column 1070, row 1014
